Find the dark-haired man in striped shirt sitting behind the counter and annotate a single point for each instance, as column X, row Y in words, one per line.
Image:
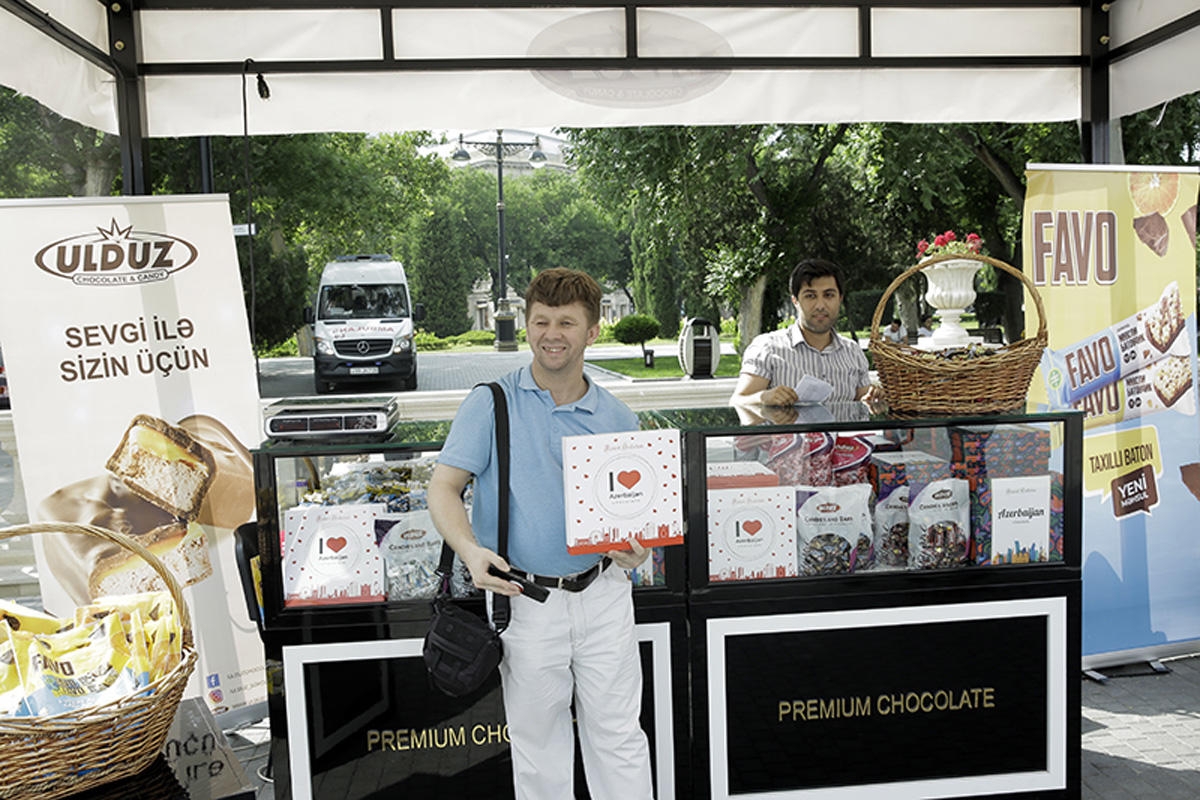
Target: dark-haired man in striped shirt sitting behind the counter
column 777, row 362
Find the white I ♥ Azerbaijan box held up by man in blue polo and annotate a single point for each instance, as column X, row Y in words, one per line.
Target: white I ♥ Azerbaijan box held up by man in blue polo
column 622, row 486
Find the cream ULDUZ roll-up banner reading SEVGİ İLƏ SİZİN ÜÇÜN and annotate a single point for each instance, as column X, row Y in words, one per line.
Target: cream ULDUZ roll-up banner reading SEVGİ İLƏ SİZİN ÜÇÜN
column 134, row 402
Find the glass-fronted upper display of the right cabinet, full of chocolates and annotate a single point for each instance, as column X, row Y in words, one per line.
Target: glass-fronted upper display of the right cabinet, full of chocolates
column 811, row 503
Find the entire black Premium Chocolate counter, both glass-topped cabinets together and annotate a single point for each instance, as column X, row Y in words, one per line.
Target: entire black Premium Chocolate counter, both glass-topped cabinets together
column 865, row 607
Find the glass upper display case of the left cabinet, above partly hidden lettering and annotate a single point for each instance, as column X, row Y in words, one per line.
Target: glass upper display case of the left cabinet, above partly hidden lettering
column 356, row 543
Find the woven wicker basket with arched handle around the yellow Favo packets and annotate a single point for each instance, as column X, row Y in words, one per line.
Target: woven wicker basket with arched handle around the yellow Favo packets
column 62, row 755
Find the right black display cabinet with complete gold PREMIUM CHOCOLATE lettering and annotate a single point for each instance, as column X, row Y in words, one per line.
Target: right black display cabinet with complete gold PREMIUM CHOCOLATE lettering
column 950, row 673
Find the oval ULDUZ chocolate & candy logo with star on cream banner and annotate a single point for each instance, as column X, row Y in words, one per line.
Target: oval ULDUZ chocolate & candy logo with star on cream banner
column 116, row 256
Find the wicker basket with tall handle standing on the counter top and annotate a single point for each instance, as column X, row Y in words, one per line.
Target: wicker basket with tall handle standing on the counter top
column 915, row 383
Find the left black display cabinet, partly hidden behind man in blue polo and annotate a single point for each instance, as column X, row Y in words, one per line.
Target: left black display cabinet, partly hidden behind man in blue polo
column 347, row 558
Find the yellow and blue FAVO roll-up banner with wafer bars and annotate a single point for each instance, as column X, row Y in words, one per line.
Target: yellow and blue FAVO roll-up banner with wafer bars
column 1112, row 251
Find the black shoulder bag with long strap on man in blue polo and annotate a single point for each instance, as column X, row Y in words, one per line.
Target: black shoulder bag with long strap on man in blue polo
column 461, row 649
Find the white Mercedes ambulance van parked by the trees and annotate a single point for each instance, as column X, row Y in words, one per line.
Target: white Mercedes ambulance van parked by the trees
column 364, row 323
